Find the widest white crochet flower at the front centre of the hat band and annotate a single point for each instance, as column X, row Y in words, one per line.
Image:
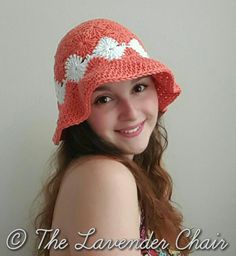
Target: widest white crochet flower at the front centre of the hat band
column 109, row 48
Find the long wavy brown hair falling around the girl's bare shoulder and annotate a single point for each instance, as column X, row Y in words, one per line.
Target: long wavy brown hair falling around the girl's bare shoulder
column 153, row 182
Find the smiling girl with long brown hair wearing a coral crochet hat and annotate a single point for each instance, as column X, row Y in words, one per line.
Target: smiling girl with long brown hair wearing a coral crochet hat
column 109, row 173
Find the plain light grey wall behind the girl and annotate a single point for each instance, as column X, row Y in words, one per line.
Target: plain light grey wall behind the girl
column 196, row 39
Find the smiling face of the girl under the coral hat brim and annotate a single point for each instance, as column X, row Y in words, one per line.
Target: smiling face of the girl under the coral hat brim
column 125, row 113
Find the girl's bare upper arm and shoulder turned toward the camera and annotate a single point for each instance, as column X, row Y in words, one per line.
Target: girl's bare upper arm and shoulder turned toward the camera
column 101, row 193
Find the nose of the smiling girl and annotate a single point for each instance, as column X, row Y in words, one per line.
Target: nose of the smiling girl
column 128, row 110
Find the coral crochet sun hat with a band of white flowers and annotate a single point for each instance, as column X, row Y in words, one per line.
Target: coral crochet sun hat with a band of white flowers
column 96, row 52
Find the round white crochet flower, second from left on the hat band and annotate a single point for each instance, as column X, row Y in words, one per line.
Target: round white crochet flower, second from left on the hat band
column 75, row 68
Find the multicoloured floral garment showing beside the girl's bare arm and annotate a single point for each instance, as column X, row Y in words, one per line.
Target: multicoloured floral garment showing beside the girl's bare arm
column 154, row 252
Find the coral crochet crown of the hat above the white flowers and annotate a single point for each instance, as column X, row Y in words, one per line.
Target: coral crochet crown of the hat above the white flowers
column 83, row 39
